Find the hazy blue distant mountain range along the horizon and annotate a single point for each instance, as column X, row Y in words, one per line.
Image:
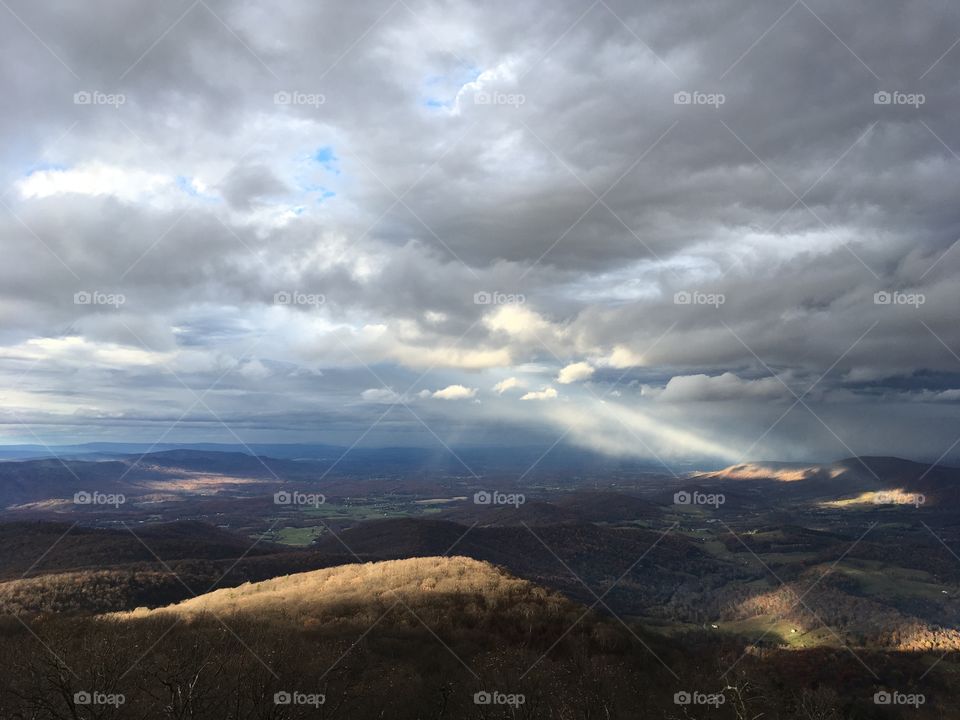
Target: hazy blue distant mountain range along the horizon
column 49, row 484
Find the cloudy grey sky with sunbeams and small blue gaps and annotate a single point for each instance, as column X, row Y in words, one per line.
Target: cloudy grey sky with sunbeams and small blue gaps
column 711, row 229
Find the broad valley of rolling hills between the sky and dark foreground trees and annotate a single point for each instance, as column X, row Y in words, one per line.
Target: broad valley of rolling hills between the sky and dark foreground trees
column 762, row 569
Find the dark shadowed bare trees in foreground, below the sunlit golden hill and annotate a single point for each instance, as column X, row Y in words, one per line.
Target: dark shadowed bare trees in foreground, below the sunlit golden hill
column 236, row 668
